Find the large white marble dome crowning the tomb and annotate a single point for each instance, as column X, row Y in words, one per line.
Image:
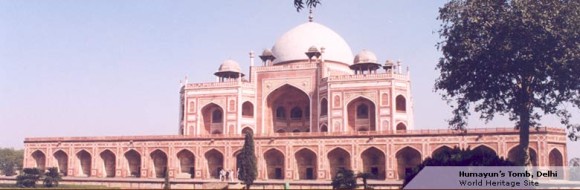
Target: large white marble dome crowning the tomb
column 294, row 43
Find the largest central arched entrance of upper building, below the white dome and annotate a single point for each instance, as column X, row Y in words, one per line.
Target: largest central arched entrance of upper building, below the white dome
column 288, row 109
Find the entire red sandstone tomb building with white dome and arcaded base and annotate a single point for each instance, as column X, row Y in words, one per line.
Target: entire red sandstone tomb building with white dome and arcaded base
column 311, row 112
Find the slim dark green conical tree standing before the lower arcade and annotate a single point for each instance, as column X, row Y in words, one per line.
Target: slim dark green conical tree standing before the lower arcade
column 249, row 169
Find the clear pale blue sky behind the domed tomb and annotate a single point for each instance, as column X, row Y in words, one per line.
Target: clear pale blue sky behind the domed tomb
column 94, row 68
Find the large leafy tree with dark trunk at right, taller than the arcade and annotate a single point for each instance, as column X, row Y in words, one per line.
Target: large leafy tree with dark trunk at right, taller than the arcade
column 515, row 57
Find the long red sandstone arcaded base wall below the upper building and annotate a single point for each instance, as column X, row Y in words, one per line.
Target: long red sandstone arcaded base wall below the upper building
column 151, row 156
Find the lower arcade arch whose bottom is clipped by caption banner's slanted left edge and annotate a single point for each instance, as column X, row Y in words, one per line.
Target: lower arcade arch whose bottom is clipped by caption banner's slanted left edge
column 407, row 159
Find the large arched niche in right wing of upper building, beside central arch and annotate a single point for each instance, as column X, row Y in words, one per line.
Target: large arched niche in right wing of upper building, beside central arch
column 361, row 115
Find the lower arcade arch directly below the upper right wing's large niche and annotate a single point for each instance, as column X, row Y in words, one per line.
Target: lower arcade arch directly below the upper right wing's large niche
column 374, row 162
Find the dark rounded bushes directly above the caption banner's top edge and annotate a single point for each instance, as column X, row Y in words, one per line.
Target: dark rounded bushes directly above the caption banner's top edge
column 459, row 157
